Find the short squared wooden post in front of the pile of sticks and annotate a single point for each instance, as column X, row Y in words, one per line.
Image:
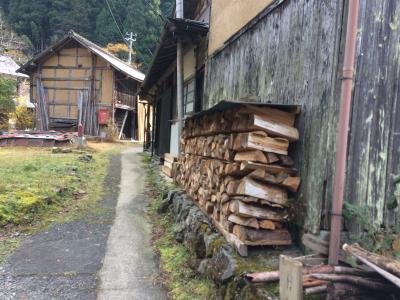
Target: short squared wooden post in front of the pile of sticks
column 290, row 278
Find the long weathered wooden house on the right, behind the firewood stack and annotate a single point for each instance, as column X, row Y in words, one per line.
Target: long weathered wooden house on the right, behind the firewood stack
column 291, row 52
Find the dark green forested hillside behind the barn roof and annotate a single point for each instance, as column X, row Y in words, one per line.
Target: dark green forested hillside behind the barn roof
column 45, row 21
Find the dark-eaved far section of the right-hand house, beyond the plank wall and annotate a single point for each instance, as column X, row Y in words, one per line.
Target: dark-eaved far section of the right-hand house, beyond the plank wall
column 161, row 86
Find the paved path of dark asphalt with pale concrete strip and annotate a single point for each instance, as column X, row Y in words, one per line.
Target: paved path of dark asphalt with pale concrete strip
column 96, row 257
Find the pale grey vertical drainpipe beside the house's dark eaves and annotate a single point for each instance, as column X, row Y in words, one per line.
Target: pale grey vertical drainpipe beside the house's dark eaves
column 179, row 74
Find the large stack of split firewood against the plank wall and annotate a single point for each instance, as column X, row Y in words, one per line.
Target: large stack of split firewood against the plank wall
column 235, row 165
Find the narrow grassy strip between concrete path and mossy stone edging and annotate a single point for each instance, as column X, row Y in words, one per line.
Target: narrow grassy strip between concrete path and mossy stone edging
column 176, row 274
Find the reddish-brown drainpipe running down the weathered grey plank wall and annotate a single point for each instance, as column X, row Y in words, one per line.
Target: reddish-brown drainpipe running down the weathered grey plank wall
column 342, row 133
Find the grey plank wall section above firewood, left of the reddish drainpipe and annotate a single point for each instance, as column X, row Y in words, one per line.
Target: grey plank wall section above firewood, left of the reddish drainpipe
column 290, row 57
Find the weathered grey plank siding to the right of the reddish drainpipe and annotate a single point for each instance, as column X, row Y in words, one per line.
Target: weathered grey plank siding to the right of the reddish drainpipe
column 374, row 157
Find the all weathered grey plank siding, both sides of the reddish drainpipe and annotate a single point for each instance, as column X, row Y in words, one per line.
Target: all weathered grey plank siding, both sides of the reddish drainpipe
column 293, row 55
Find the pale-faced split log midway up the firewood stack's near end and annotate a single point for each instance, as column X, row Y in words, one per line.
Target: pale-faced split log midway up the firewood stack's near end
column 255, row 189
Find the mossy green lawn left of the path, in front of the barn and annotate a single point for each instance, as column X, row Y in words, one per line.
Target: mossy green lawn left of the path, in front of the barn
column 39, row 188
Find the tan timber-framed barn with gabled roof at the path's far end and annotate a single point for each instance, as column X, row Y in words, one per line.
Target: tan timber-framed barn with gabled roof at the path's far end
column 76, row 81
